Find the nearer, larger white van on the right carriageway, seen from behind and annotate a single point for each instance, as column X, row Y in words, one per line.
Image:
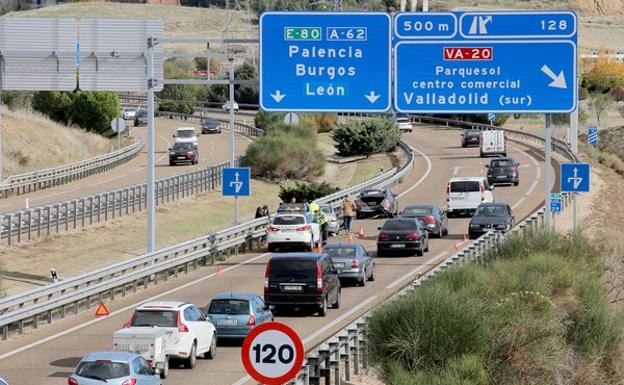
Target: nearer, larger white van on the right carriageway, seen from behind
column 466, row 194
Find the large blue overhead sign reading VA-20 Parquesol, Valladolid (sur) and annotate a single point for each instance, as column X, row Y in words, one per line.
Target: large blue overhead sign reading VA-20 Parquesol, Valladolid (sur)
column 485, row 76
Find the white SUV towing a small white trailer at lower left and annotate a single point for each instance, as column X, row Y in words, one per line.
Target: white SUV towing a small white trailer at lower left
column 189, row 332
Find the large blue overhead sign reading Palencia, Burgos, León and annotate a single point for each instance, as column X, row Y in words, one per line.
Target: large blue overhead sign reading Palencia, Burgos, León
column 325, row 61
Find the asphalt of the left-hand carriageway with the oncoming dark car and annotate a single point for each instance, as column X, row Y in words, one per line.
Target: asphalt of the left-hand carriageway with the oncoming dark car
column 213, row 149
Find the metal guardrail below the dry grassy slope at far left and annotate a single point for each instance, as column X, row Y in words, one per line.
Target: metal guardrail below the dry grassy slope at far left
column 50, row 177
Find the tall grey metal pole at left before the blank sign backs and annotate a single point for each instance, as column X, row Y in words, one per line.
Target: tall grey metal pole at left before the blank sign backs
column 151, row 202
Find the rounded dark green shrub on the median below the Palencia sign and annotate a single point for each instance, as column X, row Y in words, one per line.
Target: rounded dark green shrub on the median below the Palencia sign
column 366, row 137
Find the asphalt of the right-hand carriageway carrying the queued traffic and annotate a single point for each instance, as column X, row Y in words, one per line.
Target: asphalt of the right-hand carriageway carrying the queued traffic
column 48, row 355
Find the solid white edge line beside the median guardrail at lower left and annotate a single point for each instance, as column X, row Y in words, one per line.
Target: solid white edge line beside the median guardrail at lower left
column 89, row 323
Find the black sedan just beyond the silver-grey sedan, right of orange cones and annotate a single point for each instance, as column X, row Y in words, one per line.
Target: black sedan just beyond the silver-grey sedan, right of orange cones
column 402, row 234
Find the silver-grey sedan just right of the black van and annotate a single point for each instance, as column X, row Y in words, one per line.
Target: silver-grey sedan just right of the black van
column 352, row 260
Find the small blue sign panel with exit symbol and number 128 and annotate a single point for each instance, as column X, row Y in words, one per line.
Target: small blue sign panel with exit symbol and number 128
column 518, row 24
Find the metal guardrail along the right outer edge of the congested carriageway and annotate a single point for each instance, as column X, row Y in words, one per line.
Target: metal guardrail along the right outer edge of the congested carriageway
column 344, row 353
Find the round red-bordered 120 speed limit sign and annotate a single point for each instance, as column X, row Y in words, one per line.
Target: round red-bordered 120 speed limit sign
column 272, row 353
